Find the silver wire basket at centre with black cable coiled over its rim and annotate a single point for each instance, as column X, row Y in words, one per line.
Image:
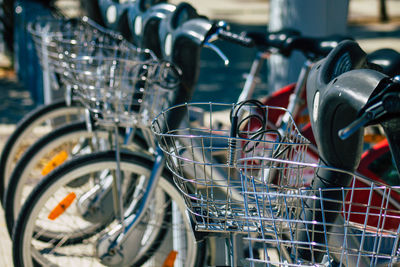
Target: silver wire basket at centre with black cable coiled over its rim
column 204, row 157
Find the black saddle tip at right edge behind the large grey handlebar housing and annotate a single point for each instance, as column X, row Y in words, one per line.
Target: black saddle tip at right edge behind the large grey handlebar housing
column 387, row 59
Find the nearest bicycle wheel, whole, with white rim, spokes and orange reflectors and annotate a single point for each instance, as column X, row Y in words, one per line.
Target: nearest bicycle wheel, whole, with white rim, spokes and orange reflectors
column 167, row 228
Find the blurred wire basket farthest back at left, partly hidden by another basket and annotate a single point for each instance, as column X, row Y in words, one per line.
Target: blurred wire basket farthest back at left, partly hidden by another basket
column 81, row 31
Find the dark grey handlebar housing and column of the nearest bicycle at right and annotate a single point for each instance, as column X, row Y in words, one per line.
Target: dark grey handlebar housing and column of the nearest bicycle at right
column 338, row 89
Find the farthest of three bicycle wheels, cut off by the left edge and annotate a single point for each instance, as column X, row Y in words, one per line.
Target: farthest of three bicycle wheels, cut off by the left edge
column 34, row 125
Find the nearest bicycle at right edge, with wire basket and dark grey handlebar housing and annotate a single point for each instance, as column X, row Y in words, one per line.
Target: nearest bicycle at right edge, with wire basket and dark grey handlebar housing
column 365, row 207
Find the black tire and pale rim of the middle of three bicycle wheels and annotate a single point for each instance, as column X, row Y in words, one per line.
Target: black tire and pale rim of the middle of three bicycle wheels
column 27, row 170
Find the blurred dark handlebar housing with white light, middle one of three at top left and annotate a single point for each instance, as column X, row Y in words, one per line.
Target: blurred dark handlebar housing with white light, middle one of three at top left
column 144, row 23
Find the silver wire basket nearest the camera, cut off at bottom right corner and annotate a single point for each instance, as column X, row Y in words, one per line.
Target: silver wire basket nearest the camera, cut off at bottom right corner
column 353, row 225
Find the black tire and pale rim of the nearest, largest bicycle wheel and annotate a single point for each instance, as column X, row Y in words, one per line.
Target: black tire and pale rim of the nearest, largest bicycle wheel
column 24, row 227
